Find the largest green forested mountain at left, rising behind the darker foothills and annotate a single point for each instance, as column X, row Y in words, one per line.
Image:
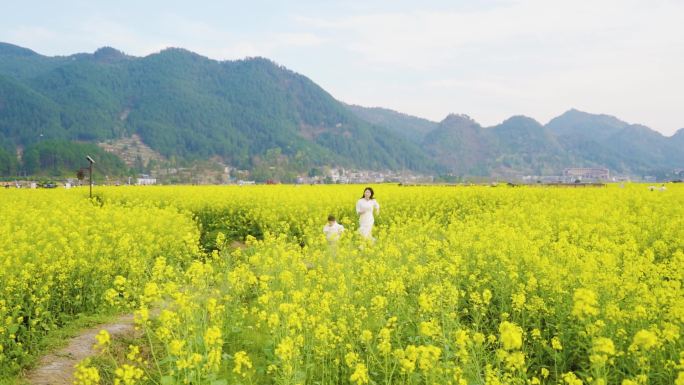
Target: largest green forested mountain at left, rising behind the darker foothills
column 188, row 106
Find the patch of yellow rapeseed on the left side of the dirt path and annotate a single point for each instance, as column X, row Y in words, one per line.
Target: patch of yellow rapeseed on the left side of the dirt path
column 63, row 256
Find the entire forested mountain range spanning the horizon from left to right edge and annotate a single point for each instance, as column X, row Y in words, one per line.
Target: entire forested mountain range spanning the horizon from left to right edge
column 254, row 114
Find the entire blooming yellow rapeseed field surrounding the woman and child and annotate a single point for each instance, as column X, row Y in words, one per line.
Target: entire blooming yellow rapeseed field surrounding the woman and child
column 464, row 285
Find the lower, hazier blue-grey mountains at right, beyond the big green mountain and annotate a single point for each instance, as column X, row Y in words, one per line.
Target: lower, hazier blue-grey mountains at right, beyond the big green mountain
column 520, row 145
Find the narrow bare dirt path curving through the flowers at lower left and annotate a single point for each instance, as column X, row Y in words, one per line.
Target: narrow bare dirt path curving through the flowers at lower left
column 57, row 368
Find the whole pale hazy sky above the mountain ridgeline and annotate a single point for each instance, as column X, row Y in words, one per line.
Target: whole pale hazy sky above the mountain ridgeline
column 487, row 59
